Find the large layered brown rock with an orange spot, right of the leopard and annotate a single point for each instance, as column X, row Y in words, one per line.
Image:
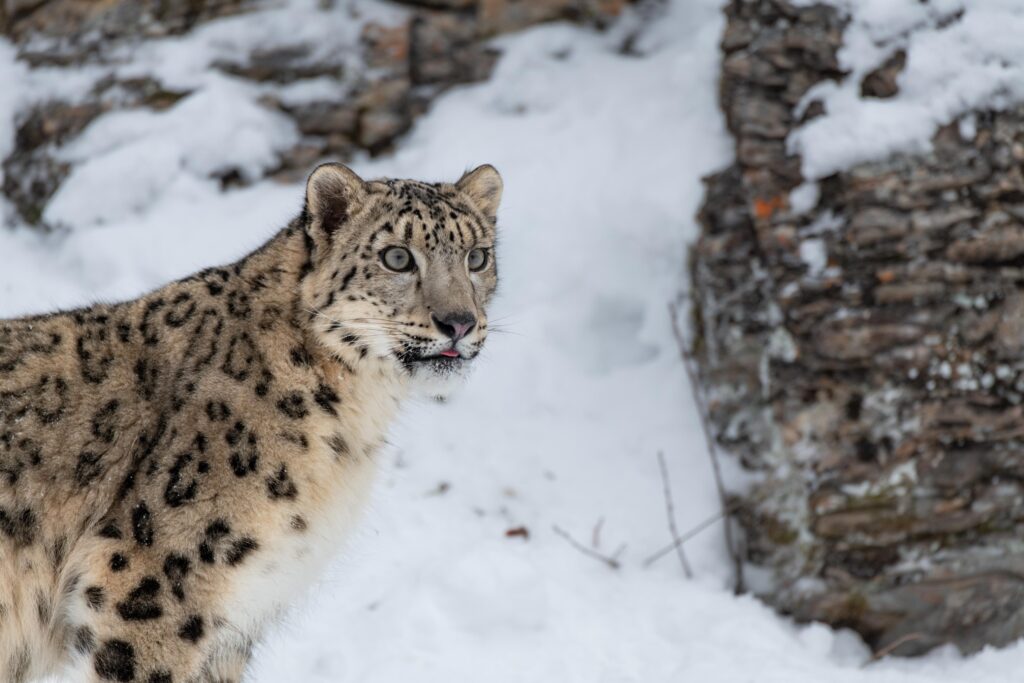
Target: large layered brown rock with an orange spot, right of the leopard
column 877, row 391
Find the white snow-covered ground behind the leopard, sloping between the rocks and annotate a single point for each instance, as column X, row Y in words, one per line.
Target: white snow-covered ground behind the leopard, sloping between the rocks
column 603, row 156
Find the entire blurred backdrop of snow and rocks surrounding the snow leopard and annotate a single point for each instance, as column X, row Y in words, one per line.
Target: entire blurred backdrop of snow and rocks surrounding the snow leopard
column 761, row 270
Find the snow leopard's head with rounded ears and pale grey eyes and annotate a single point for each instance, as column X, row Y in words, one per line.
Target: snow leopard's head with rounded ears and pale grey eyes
column 403, row 271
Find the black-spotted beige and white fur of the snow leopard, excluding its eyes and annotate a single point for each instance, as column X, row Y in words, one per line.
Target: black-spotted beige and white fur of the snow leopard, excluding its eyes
column 175, row 469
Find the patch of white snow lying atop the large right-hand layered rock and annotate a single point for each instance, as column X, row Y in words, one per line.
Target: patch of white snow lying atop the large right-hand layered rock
column 960, row 56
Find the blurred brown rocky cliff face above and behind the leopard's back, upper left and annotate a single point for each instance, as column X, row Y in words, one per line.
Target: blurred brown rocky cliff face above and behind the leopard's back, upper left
column 365, row 95
